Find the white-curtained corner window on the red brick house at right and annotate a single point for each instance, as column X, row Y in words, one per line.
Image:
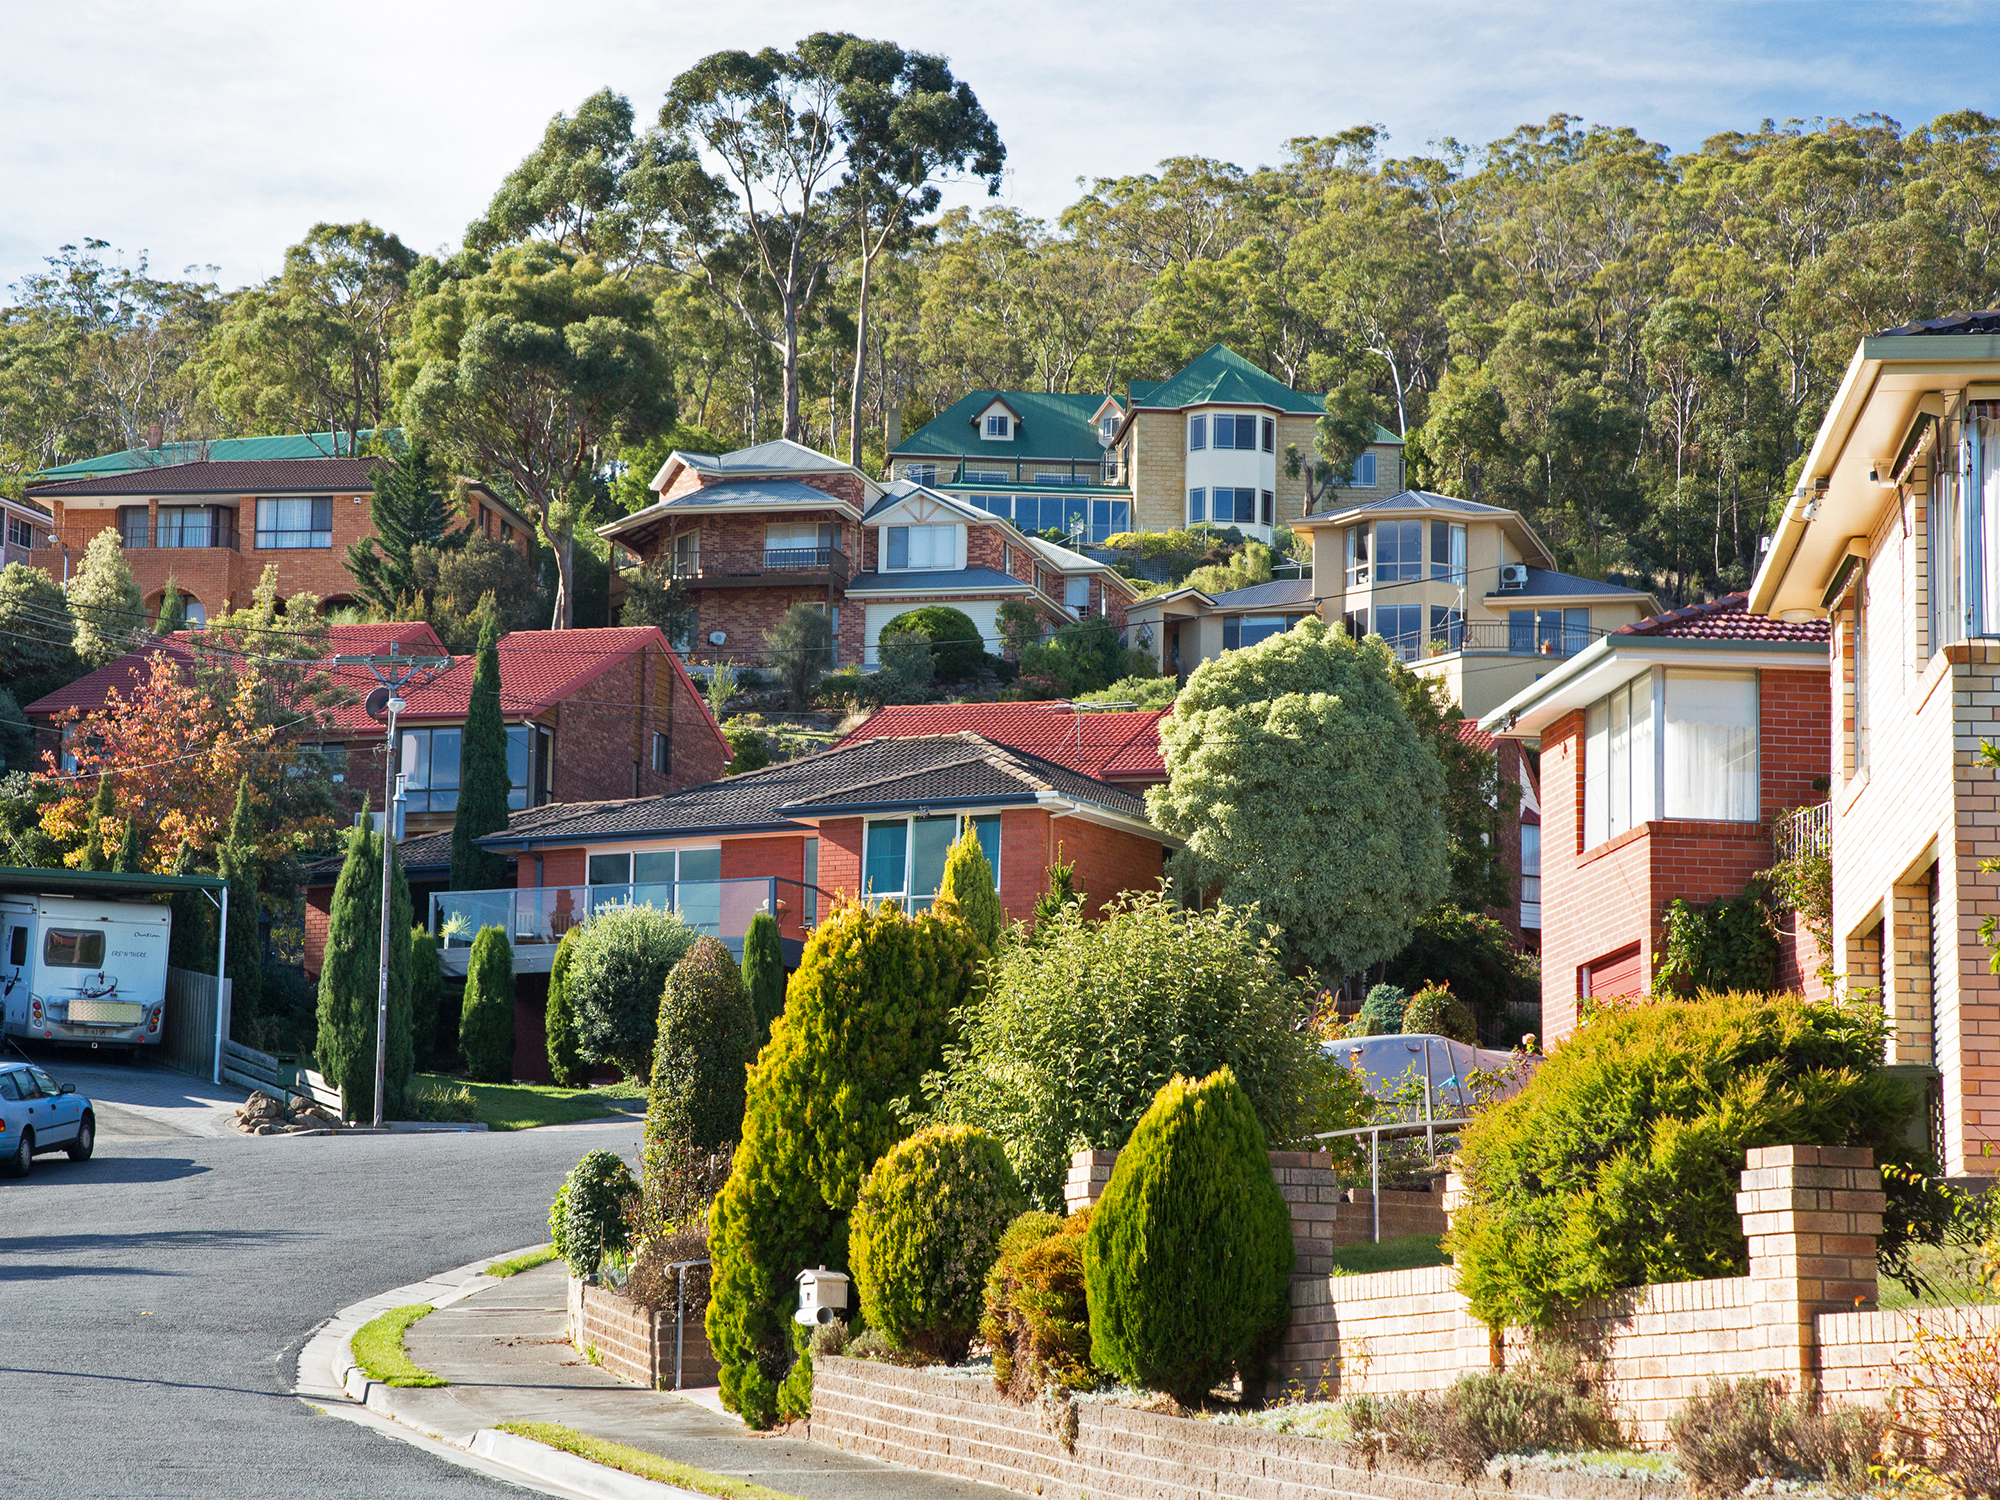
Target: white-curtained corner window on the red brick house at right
column 1671, row 745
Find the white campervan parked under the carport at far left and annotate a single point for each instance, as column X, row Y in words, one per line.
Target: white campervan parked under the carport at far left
column 83, row 971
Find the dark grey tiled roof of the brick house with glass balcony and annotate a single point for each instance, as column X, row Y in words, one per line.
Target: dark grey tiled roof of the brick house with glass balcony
column 935, row 769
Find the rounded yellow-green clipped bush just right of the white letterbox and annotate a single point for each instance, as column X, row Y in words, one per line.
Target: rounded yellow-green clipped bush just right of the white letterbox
column 925, row 1233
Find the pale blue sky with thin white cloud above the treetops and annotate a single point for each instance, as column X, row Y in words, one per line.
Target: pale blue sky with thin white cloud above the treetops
column 215, row 133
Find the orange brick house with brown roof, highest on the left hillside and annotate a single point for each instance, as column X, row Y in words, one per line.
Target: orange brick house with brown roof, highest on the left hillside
column 215, row 525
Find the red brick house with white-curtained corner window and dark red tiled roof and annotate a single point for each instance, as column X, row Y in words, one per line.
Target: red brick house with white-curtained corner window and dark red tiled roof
column 1669, row 747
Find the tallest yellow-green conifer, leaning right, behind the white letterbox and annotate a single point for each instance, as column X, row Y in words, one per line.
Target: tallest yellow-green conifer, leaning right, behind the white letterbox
column 865, row 1021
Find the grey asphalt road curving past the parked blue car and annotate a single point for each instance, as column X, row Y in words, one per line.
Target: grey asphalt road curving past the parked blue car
column 155, row 1299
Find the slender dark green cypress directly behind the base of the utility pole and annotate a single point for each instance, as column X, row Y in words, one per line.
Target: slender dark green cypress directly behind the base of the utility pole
column 353, row 971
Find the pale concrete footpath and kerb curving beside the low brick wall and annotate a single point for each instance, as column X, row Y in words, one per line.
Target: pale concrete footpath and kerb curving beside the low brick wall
column 503, row 1349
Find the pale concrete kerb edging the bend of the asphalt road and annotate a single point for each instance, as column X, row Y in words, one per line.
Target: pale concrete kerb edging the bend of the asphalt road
column 333, row 1383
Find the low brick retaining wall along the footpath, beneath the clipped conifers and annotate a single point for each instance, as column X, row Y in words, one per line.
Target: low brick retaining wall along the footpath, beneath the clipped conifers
column 951, row 1425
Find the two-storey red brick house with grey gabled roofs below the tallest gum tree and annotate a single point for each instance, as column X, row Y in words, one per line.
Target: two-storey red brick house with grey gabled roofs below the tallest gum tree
column 757, row 531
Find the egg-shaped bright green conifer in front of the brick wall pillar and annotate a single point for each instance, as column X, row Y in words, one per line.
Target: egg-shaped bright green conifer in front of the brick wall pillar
column 1189, row 1255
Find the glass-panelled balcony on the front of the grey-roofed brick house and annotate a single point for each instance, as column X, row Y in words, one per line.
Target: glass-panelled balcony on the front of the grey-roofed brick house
column 537, row 917
